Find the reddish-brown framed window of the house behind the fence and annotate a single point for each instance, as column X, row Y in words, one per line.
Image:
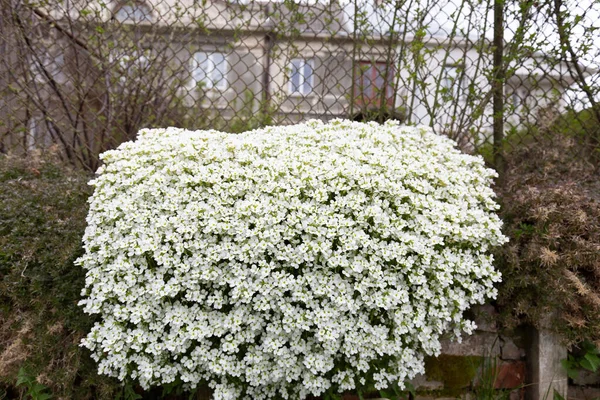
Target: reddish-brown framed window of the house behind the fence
column 371, row 81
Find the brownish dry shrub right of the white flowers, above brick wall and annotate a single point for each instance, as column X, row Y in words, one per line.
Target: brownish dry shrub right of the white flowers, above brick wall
column 551, row 268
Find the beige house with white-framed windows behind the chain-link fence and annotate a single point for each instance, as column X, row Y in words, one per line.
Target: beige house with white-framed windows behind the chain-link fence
column 100, row 71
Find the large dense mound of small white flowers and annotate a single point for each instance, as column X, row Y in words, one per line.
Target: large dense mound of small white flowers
column 287, row 261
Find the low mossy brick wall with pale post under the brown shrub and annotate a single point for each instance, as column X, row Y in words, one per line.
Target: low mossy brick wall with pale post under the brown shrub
column 527, row 365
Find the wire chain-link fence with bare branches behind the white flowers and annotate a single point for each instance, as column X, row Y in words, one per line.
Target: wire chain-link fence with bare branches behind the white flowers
column 82, row 76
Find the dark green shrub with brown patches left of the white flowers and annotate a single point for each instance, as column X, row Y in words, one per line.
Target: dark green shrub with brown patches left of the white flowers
column 43, row 205
